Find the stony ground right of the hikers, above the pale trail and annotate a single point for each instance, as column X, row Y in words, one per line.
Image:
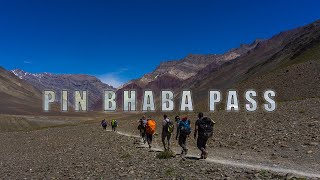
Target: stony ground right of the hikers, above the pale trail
column 288, row 137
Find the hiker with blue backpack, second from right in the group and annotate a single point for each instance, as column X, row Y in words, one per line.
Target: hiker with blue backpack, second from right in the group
column 183, row 132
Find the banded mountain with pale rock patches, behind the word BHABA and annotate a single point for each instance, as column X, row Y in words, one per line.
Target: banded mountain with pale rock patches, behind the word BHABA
column 172, row 74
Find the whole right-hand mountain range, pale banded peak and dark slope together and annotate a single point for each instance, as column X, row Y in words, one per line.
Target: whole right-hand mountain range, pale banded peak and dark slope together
column 249, row 66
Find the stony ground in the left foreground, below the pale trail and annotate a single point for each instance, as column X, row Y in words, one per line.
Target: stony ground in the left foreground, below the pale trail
column 88, row 152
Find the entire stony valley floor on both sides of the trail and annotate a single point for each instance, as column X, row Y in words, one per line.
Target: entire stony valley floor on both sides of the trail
column 284, row 144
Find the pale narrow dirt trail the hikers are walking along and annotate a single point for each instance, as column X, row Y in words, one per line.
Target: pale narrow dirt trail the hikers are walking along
column 240, row 164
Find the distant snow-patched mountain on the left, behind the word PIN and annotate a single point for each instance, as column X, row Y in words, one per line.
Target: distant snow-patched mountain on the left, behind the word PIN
column 71, row 82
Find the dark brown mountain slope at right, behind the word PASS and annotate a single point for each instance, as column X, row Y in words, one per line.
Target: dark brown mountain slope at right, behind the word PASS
column 263, row 65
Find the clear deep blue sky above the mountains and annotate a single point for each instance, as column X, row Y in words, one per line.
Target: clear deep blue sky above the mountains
column 124, row 39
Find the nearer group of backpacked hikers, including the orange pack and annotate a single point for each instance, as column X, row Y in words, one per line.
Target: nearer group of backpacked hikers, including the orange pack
column 202, row 132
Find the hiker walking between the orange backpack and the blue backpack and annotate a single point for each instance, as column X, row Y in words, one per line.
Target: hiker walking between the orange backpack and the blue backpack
column 167, row 129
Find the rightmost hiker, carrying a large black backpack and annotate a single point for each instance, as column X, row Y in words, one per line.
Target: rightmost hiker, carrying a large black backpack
column 204, row 128
